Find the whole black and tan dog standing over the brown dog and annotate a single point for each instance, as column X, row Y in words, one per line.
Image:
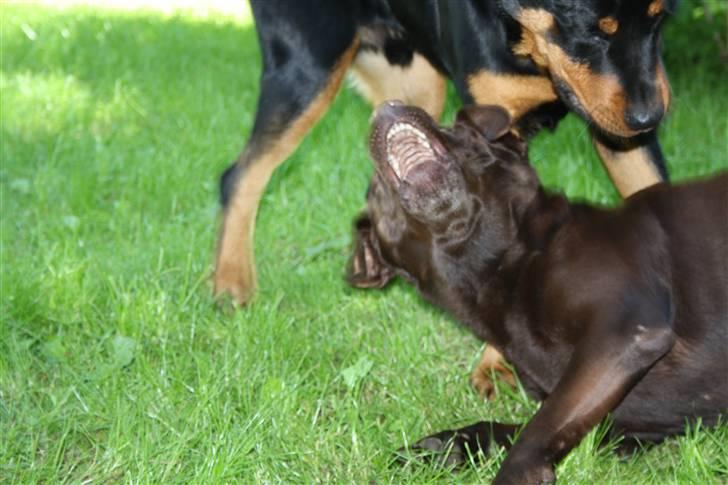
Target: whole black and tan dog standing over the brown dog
column 538, row 58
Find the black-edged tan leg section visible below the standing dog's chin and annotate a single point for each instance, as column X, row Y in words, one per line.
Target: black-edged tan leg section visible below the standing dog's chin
column 633, row 165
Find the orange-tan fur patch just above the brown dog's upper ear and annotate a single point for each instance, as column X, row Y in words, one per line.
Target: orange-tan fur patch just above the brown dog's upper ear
column 517, row 94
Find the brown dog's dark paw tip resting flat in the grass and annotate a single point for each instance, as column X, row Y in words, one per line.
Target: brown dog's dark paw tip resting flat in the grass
column 450, row 449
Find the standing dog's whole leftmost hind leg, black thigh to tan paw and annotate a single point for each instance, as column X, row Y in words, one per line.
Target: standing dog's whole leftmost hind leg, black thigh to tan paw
column 305, row 54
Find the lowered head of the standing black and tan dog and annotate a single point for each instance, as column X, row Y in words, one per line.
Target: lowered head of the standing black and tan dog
column 603, row 56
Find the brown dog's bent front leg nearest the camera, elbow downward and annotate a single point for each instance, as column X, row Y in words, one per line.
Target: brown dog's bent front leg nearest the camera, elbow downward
column 604, row 367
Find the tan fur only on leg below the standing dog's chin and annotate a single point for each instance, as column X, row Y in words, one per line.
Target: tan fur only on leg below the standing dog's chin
column 630, row 170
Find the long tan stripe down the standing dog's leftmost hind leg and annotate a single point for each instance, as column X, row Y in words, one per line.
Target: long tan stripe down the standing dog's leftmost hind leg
column 235, row 272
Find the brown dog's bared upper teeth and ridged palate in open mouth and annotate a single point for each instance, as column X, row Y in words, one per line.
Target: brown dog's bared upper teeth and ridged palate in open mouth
column 406, row 146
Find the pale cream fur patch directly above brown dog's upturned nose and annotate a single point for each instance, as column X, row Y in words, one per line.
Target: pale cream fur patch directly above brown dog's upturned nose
column 418, row 84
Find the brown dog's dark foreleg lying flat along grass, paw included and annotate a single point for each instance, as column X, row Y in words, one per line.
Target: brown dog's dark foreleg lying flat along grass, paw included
column 451, row 447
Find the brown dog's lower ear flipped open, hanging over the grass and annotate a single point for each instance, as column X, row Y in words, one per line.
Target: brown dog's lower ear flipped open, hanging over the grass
column 367, row 269
